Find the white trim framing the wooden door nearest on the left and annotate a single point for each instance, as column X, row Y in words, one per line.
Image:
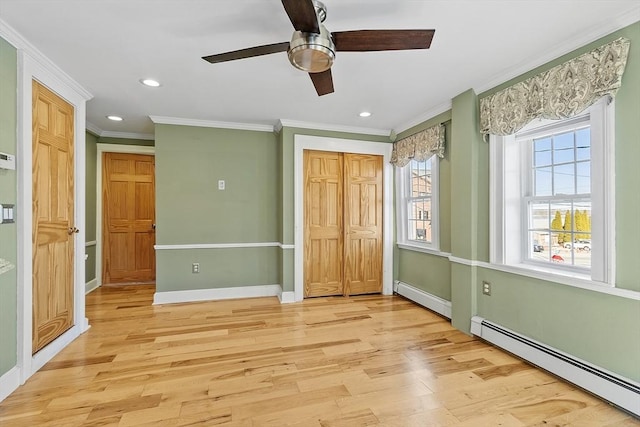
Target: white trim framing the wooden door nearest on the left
column 34, row 66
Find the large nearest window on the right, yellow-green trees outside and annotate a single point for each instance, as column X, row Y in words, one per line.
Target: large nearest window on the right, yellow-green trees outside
column 552, row 195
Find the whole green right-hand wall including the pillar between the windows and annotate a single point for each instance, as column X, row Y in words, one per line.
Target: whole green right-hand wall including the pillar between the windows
column 594, row 326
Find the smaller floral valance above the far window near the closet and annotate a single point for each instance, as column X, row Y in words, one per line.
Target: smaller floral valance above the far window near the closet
column 419, row 146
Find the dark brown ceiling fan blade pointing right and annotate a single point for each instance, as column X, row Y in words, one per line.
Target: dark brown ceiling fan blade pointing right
column 374, row 40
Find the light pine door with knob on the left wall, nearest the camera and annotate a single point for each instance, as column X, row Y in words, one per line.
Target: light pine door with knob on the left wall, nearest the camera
column 53, row 216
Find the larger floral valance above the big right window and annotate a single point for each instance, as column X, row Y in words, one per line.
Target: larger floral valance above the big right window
column 561, row 92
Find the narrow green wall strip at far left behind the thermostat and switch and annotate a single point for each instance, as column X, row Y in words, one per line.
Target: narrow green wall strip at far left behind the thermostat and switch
column 8, row 232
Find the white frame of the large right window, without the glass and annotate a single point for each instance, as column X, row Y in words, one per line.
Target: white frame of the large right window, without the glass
column 509, row 180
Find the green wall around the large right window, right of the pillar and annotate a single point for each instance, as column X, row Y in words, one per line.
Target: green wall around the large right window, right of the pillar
column 596, row 327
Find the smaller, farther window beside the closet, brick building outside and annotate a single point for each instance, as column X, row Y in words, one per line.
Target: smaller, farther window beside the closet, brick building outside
column 417, row 204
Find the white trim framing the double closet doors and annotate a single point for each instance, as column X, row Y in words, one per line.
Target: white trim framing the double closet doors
column 307, row 142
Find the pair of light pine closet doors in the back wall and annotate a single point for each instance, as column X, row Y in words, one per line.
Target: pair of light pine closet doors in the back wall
column 342, row 223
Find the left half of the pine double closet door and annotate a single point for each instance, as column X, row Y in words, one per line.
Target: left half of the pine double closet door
column 323, row 232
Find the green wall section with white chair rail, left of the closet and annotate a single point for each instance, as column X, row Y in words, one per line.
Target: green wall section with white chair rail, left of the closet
column 191, row 210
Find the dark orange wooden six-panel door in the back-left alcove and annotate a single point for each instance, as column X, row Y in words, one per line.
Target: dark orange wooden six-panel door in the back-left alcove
column 128, row 218
